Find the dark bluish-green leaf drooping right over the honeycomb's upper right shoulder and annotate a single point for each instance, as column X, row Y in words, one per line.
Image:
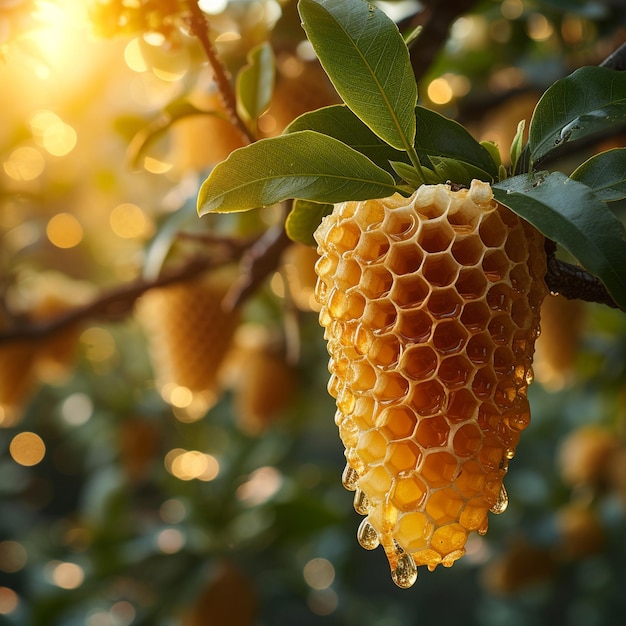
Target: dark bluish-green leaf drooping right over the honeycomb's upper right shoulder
column 571, row 214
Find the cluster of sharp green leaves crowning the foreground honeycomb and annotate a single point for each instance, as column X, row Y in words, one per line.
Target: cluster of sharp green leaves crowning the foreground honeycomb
column 381, row 141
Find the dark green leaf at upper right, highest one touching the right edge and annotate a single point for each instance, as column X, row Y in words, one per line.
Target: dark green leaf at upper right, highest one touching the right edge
column 589, row 100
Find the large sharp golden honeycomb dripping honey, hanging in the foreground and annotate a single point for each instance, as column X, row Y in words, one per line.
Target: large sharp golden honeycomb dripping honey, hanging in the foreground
column 430, row 306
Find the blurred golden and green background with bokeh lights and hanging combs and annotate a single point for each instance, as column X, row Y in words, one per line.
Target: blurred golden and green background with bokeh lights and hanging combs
column 165, row 462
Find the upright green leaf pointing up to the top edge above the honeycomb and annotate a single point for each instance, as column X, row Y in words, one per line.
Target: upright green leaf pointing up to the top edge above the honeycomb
column 368, row 62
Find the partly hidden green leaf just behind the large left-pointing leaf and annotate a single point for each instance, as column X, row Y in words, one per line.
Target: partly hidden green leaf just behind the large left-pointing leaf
column 340, row 122
